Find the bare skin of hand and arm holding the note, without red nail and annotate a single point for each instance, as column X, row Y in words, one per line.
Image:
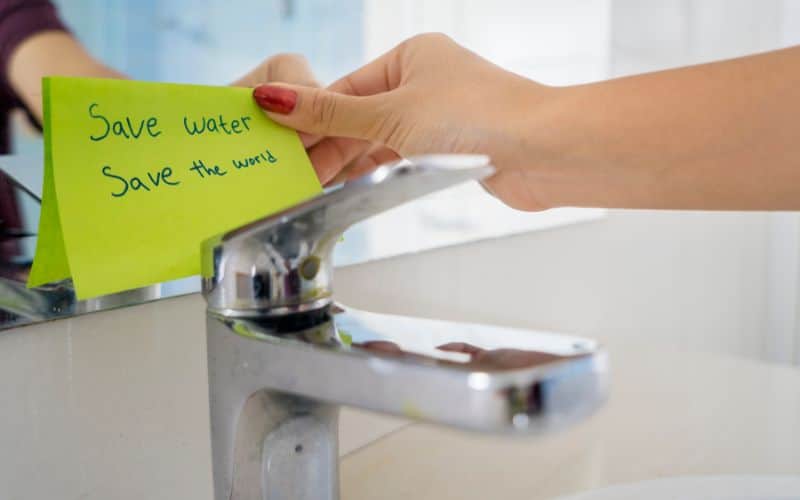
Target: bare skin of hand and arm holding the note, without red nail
column 713, row 136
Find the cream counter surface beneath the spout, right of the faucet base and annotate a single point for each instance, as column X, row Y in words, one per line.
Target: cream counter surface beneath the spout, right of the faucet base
column 670, row 413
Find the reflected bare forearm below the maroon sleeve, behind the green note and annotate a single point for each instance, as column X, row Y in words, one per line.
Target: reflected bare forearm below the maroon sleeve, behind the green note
column 50, row 53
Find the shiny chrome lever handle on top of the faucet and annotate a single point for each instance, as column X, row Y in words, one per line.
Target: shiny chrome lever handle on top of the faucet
column 281, row 265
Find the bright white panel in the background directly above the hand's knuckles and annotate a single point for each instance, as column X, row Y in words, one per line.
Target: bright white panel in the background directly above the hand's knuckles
column 556, row 41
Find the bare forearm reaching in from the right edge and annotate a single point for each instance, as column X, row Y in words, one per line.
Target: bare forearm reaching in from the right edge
column 716, row 136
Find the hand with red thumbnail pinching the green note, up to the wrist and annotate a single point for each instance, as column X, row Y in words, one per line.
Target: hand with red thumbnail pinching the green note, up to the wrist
column 427, row 95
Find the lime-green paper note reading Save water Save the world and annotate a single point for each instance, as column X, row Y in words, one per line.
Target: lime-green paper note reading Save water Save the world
column 137, row 174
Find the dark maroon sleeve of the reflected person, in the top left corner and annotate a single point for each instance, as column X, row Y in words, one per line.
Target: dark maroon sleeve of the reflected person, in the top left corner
column 19, row 19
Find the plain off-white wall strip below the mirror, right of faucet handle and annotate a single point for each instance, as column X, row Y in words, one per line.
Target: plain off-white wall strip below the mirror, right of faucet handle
column 690, row 279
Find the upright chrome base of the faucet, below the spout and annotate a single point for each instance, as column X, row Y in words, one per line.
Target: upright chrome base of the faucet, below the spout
column 267, row 445
